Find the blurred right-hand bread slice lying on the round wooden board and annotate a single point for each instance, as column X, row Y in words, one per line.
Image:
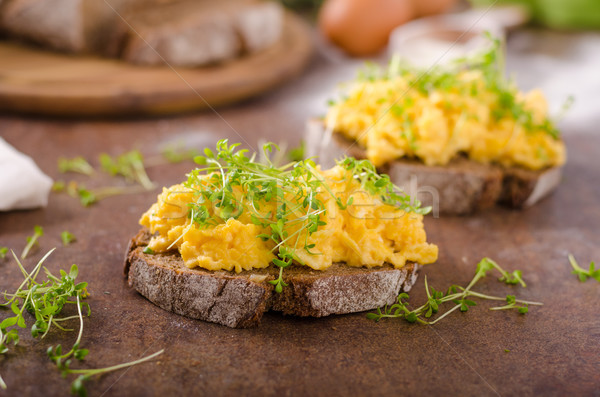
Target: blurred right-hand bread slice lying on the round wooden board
column 193, row 33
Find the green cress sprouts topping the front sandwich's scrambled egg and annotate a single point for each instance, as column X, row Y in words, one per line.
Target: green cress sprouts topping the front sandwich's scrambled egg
column 283, row 200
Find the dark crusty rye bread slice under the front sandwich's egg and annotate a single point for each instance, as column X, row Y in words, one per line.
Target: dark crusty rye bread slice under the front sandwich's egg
column 238, row 300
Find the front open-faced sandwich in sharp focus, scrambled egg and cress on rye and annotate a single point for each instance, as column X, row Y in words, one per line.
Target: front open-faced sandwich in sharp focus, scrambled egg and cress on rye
column 240, row 237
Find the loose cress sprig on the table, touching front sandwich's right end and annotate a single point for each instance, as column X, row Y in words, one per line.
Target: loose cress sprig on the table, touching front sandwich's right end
column 457, row 295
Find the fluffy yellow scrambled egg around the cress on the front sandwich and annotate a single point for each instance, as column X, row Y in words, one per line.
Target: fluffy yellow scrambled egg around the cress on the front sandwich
column 367, row 233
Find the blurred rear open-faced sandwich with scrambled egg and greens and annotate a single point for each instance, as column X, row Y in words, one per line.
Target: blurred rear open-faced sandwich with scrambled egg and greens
column 461, row 133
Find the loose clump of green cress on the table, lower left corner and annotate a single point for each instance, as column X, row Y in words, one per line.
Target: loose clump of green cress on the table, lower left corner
column 45, row 301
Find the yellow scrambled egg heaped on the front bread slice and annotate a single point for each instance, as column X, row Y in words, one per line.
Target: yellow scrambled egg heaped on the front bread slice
column 363, row 232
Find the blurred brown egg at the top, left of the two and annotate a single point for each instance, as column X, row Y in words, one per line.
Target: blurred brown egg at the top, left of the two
column 362, row 27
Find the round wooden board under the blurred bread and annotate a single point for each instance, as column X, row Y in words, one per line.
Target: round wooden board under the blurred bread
column 42, row 82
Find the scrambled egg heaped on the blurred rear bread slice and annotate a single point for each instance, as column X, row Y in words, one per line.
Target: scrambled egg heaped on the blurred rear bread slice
column 393, row 118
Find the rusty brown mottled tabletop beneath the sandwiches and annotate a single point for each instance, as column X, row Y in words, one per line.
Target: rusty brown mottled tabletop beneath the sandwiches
column 554, row 350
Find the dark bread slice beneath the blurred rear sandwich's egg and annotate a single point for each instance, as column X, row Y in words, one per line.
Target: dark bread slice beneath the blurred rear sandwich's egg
column 459, row 188
